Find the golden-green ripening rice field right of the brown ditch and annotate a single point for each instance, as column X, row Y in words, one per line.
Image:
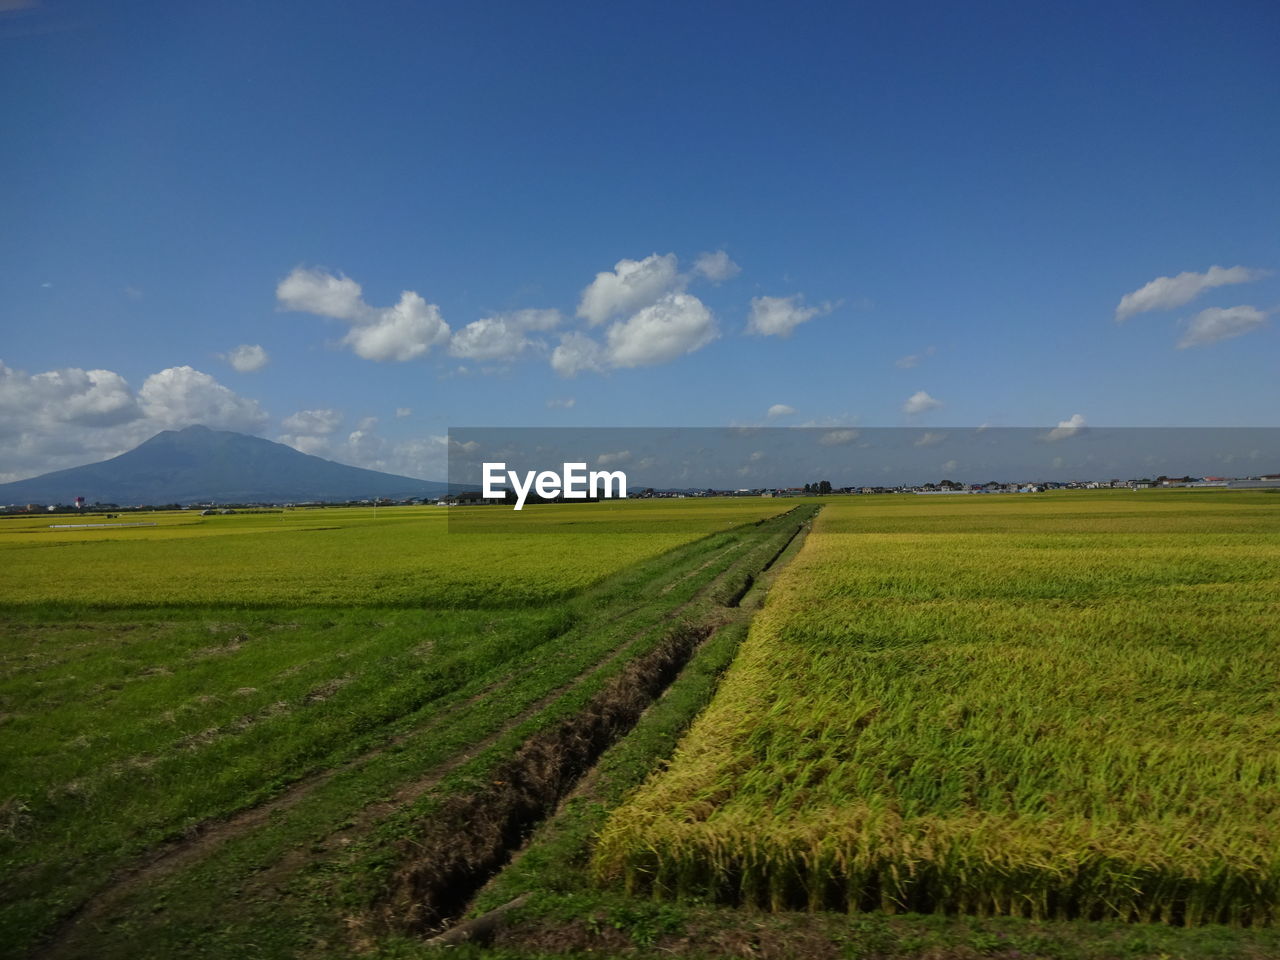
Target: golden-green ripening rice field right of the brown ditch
column 1055, row 706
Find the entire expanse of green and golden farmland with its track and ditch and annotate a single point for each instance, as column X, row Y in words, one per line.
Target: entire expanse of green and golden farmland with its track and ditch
column 893, row 728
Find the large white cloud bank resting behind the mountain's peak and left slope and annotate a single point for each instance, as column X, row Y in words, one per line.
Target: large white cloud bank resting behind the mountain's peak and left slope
column 72, row 417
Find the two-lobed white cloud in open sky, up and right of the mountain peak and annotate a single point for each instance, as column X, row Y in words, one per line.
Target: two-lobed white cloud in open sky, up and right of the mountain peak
column 400, row 333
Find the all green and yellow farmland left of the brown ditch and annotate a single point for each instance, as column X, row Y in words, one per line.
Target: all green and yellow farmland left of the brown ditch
column 195, row 703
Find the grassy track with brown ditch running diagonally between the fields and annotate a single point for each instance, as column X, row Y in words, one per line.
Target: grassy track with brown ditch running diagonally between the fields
column 500, row 760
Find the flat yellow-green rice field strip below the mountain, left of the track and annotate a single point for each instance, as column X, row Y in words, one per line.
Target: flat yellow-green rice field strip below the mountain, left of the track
column 344, row 557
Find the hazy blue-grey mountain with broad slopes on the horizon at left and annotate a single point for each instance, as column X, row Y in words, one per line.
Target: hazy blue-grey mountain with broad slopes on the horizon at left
column 199, row 465
